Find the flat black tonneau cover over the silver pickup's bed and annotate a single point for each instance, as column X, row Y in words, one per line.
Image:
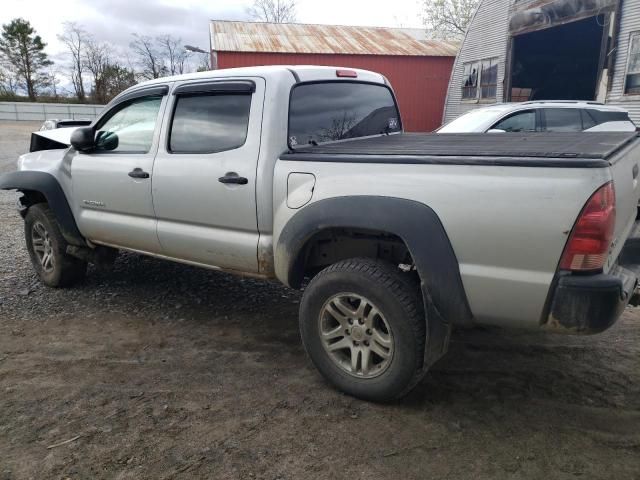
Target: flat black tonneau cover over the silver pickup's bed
column 519, row 149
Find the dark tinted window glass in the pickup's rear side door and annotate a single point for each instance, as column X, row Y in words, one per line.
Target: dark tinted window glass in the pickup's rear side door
column 209, row 123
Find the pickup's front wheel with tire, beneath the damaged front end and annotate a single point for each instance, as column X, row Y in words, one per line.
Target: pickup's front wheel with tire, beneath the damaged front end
column 43, row 237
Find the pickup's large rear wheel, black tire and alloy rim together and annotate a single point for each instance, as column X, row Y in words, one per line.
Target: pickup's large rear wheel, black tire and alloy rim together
column 340, row 290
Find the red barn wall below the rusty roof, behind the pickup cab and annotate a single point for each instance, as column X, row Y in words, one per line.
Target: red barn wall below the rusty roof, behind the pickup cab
column 420, row 83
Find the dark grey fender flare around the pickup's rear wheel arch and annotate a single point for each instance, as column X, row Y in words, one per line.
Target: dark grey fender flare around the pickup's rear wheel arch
column 419, row 228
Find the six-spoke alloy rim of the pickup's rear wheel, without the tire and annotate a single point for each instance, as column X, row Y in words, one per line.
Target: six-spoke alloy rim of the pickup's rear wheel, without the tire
column 355, row 335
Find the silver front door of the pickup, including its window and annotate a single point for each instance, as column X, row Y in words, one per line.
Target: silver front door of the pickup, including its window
column 112, row 183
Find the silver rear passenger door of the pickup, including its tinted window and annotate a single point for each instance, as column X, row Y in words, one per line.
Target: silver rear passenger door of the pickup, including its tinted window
column 204, row 187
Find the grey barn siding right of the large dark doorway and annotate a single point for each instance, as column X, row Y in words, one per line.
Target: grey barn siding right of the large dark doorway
column 630, row 22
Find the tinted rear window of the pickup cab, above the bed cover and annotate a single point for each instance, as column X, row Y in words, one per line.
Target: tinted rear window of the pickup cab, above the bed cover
column 330, row 111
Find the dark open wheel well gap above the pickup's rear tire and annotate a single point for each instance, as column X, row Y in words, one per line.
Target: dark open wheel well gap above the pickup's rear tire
column 332, row 245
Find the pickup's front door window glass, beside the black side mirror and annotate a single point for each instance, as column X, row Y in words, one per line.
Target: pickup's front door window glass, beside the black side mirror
column 130, row 129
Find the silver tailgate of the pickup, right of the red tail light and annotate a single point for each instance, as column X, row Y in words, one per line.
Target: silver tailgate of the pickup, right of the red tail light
column 625, row 170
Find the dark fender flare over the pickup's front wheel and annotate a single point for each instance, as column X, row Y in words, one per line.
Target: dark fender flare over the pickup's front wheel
column 47, row 185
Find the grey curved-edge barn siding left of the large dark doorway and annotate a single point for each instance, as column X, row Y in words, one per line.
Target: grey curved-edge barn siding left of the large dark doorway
column 487, row 37
